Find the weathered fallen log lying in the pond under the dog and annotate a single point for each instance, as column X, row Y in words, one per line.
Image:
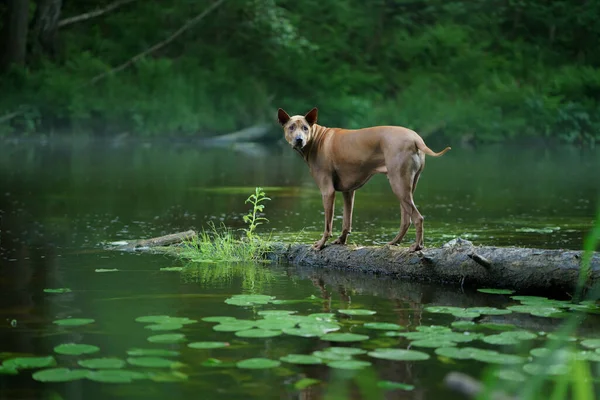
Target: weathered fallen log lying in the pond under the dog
column 458, row 262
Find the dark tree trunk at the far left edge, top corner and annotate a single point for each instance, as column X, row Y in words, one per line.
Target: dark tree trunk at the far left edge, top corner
column 13, row 37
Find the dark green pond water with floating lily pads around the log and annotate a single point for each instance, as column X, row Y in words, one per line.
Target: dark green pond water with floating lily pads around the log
column 60, row 201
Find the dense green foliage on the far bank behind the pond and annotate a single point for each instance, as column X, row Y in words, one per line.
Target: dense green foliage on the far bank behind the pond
column 483, row 69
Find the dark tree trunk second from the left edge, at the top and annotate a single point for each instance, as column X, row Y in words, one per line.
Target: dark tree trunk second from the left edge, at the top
column 45, row 27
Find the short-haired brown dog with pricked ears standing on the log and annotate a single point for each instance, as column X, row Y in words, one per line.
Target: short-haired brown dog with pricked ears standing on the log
column 343, row 160
